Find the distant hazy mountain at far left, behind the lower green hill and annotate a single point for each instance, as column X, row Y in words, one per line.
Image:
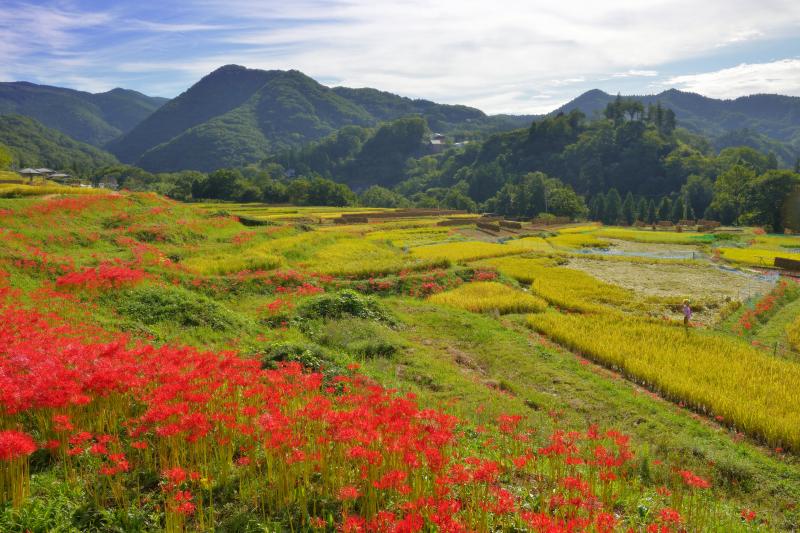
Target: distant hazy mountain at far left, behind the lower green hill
column 86, row 117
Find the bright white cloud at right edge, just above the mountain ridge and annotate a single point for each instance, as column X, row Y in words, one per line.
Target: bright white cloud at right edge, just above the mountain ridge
column 782, row 76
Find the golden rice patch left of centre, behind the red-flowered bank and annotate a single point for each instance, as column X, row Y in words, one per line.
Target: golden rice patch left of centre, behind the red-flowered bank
column 359, row 257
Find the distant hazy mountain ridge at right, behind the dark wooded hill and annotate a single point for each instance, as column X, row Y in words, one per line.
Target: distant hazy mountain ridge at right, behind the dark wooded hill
column 761, row 121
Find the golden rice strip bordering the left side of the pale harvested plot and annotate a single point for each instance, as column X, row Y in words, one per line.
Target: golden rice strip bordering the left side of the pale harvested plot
column 563, row 287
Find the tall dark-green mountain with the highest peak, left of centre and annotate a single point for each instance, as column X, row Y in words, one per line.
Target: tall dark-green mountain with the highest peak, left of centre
column 234, row 116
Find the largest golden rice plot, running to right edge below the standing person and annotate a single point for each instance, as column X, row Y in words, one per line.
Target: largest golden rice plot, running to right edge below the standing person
column 723, row 376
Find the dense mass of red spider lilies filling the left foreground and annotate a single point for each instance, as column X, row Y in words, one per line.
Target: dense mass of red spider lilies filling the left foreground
column 392, row 465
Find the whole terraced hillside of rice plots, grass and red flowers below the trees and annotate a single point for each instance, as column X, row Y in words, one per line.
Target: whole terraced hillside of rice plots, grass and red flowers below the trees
column 166, row 367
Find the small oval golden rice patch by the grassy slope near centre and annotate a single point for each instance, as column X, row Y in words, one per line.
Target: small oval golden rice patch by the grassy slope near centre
column 485, row 296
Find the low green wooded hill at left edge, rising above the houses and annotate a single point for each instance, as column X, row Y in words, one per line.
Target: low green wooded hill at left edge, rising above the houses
column 34, row 145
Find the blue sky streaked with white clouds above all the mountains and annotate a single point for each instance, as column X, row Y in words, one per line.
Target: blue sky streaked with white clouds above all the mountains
column 515, row 56
